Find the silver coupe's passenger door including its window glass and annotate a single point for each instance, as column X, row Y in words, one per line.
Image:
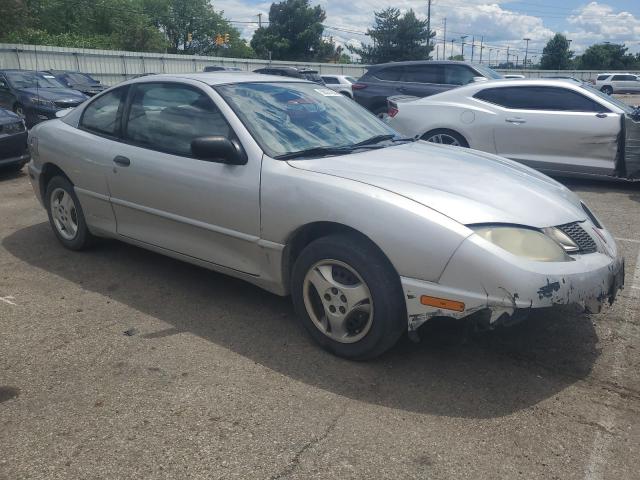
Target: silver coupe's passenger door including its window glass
column 165, row 197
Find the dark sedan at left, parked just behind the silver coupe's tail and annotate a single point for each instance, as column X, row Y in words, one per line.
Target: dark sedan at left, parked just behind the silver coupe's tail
column 35, row 96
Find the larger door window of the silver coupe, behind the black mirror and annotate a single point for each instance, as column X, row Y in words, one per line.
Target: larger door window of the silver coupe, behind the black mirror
column 168, row 116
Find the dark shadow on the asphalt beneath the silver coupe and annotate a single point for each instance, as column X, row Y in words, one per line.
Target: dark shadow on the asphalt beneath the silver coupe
column 451, row 372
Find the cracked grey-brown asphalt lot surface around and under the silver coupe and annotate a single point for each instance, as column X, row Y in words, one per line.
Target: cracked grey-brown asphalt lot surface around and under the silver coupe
column 215, row 378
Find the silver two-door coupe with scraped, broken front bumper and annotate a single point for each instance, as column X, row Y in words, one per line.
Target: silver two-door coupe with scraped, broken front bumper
column 296, row 188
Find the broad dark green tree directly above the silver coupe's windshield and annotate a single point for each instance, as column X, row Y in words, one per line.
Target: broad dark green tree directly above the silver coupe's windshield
column 294, row 33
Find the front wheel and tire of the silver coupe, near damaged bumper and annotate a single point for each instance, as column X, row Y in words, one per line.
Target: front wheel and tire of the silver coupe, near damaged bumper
column 348, row 296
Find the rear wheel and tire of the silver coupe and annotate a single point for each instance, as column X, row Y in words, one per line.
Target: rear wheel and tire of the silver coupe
column 65, row 214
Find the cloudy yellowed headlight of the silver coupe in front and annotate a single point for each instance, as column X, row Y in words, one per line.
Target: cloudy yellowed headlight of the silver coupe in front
column 524, row 242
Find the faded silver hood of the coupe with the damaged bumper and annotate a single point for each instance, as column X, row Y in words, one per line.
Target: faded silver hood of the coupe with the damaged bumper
column 465, row 185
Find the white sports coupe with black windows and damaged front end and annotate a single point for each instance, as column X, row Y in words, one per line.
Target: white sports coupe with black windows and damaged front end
column 557, row 126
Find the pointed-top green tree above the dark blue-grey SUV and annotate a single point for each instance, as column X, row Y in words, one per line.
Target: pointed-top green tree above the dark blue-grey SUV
column 396, row 37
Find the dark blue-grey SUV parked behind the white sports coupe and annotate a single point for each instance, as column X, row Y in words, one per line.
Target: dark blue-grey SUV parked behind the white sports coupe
column 418, row 78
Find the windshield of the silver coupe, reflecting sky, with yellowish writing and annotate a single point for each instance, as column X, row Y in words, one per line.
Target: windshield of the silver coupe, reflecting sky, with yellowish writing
column 291, row 117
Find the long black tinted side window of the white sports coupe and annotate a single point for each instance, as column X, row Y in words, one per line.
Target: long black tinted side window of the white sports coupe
column 539, row 98
